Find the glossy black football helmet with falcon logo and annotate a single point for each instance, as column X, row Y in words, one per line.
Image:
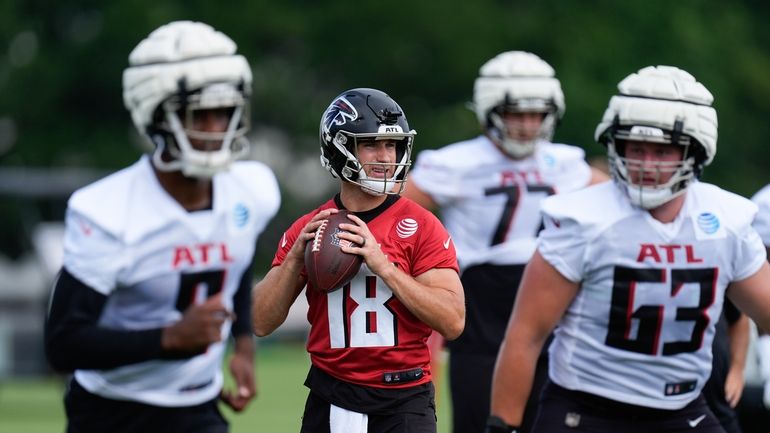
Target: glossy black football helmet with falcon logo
column 358, row 114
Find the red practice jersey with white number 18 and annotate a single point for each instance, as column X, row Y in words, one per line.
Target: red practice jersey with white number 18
column 361, row 333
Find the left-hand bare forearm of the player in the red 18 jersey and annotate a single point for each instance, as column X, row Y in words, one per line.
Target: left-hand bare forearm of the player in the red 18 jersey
column 273, row 296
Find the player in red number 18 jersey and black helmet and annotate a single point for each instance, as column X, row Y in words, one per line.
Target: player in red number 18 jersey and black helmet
column 368, row 345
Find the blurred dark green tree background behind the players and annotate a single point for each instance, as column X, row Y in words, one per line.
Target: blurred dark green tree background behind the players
column 62, row 121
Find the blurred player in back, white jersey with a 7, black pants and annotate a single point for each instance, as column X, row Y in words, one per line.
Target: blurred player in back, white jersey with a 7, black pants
column 488, row 190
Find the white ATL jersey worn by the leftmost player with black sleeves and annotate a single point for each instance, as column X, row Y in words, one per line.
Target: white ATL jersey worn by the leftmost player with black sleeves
column 128, row 239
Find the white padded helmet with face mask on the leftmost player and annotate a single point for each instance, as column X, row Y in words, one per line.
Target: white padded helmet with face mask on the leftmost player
column 185, row 66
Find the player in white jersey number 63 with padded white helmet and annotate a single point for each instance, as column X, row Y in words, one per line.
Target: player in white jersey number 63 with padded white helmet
column 634, row 272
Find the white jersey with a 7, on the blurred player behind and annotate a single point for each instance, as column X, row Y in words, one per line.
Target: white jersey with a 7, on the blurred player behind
column 490, row 202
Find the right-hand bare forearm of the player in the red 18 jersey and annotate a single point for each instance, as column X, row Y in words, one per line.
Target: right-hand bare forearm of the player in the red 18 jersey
column 430, row 299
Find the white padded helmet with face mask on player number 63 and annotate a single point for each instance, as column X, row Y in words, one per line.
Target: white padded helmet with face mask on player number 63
column 659, row 104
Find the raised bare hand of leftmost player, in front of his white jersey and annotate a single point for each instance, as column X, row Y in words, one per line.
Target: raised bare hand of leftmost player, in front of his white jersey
column 200, row 326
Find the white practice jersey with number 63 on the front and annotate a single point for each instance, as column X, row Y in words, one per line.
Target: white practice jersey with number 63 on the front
column 641, row 327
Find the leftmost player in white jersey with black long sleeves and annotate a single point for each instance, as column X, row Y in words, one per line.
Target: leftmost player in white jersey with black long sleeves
column 158, row 256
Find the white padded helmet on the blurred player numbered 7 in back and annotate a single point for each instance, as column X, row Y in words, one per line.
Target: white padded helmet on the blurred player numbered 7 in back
column 517, row 81
